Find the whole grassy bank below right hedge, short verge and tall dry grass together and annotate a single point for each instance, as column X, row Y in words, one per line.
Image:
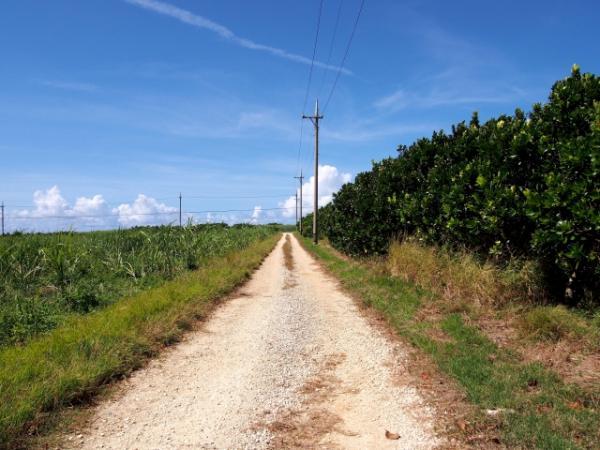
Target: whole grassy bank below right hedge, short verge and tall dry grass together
column 440, row 304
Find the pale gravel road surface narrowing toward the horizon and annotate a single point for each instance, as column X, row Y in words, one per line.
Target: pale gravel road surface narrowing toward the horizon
column 290, row 362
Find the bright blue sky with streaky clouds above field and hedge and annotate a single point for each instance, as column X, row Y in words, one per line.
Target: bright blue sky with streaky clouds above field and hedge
column 117, row 98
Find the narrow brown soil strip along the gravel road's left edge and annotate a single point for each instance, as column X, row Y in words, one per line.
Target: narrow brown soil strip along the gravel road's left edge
column 78, row 416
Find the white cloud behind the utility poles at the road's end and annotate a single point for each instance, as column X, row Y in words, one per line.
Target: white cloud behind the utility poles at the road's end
column 330, row 181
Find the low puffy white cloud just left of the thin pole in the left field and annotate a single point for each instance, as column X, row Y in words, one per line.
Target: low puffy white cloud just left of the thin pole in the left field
column 144, row 211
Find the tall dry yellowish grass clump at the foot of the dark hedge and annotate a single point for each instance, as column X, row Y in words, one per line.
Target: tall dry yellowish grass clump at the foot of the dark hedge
column 463, row 283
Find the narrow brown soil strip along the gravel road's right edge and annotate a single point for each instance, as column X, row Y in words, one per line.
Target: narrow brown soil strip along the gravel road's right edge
column 454, row 415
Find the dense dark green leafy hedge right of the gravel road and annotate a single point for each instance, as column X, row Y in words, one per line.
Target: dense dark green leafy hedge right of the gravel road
column 519, row 185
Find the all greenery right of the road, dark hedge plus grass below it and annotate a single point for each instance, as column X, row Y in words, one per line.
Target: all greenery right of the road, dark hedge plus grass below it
column 482, row 247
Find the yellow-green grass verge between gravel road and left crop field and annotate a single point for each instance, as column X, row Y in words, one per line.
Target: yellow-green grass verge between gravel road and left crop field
column 74, row 361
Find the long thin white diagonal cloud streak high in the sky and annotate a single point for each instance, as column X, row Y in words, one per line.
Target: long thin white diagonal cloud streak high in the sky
column 201, row 22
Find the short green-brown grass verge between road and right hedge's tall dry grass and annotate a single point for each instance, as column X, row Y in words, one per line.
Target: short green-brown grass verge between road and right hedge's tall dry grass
column 528, row 405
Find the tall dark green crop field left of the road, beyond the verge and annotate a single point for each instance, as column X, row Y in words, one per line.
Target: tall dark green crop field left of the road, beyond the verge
column 46, row 278
